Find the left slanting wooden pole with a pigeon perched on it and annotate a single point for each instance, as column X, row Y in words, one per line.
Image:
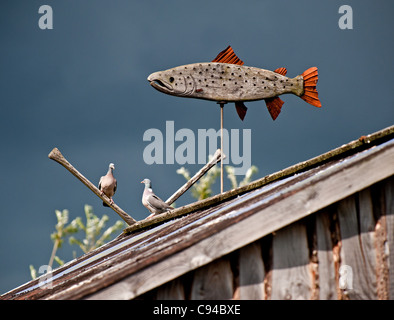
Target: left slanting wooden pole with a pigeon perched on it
column 56, row 155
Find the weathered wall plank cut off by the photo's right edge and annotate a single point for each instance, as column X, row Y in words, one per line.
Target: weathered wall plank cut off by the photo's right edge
column 389, row 204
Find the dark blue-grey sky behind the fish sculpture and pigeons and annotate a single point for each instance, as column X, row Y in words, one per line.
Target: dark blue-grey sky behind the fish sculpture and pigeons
column 82, row 87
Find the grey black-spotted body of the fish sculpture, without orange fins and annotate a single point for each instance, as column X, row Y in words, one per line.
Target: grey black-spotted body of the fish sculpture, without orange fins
column 225, row 82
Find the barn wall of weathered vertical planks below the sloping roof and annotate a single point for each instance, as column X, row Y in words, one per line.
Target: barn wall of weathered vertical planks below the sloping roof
column 340, row 252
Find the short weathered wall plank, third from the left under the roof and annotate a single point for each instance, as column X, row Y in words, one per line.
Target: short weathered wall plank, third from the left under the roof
column 251, row 272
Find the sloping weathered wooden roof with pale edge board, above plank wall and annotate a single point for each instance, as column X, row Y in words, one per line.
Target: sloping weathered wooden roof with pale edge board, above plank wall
column 153, row 252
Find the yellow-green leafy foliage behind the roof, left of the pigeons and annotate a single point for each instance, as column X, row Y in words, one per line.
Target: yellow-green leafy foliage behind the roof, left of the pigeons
column 94, row 236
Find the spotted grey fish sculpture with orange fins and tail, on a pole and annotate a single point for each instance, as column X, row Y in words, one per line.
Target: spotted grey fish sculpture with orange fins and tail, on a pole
column 226, row 79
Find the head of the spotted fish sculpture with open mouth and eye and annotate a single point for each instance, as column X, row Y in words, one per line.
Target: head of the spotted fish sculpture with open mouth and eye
column 172, row 82
